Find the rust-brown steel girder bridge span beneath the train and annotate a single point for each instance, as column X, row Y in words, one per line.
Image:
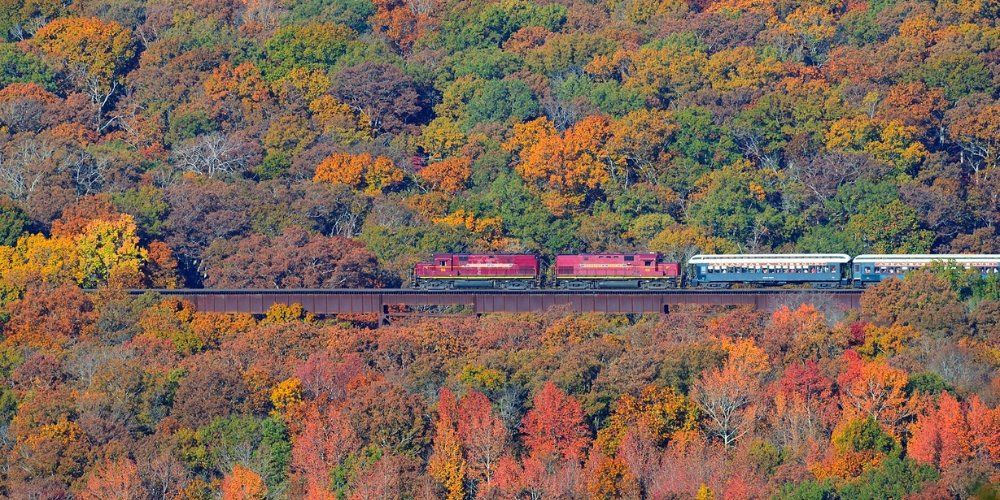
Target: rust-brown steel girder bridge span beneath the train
column 384, row 302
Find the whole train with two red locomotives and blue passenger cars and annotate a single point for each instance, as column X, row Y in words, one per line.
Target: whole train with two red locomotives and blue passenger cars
column 650, row 271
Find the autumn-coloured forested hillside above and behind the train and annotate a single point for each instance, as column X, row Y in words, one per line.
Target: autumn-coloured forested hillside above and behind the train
column 850, row 127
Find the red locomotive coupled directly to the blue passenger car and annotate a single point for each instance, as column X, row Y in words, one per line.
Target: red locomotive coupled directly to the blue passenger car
column 639, row 270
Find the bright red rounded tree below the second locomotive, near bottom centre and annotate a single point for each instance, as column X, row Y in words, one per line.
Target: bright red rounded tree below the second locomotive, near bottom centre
column 554, row 428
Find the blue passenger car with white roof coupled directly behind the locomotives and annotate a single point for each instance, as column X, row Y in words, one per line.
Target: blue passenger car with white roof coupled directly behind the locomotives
column 722, row 271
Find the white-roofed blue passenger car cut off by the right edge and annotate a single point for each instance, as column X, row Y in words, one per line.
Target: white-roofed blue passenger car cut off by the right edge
column 875, row 268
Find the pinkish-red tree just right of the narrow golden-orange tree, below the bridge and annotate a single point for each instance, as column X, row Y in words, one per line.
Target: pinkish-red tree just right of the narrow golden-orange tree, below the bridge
column 483, row 435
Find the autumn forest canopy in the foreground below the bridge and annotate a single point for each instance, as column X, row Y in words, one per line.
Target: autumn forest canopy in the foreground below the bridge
column 148, row 396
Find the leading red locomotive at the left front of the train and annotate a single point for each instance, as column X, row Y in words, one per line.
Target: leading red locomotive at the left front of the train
column 448, row 271
